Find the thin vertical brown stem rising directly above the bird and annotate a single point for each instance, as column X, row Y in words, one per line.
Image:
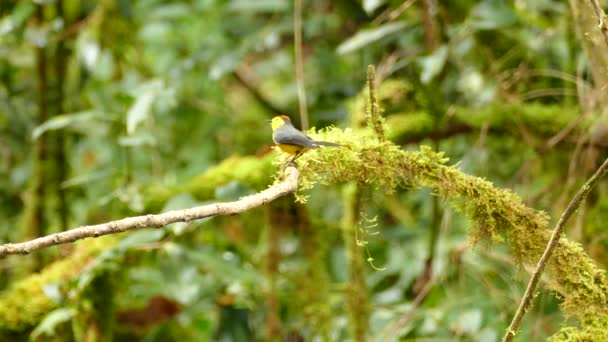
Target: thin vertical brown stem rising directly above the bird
column 299, row 59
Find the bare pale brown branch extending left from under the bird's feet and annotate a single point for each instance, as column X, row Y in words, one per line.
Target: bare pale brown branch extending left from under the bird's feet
column 289, row 185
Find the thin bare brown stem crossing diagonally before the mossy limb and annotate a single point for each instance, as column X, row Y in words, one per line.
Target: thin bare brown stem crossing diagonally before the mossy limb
column 528, row 297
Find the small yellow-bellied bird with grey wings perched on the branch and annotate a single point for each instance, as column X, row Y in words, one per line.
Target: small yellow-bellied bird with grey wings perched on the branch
column 292, row 141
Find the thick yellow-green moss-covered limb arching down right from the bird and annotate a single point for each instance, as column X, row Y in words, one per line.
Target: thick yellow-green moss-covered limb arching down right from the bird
column 498, row 214
